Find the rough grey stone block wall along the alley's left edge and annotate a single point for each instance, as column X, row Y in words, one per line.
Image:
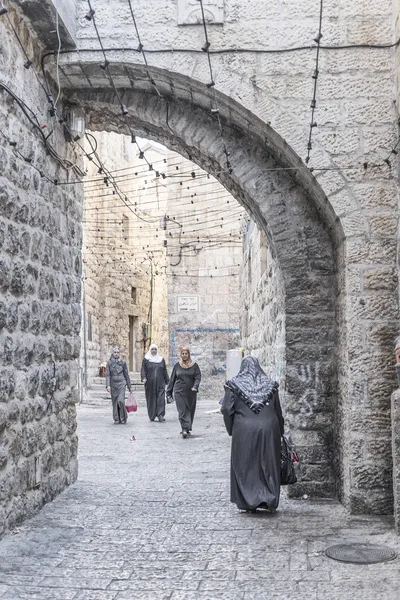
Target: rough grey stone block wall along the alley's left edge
column 40, row 243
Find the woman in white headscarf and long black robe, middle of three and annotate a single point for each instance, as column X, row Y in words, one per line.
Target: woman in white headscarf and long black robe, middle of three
column 155, row 377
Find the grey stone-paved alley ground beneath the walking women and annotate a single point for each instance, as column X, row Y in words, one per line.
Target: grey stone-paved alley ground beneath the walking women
column 151, row 520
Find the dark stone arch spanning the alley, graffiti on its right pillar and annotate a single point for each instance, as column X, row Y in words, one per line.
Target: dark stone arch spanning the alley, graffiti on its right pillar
column 288, row 205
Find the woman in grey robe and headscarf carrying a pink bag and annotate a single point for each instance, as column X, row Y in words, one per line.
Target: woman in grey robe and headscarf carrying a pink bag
column 117, row 378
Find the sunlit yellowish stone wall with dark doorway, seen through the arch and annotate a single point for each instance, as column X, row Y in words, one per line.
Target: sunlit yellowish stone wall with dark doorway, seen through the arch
column 124, row 258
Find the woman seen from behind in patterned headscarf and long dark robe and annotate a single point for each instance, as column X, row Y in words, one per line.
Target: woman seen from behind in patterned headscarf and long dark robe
column 253, row 417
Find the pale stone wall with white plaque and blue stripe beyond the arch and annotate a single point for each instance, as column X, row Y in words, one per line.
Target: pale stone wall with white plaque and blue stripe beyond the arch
column 203, row 277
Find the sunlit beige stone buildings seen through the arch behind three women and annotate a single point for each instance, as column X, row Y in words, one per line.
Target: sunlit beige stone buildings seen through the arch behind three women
column 161, row 255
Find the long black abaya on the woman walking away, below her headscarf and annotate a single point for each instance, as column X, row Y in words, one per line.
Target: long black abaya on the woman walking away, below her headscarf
column 256, row 451
